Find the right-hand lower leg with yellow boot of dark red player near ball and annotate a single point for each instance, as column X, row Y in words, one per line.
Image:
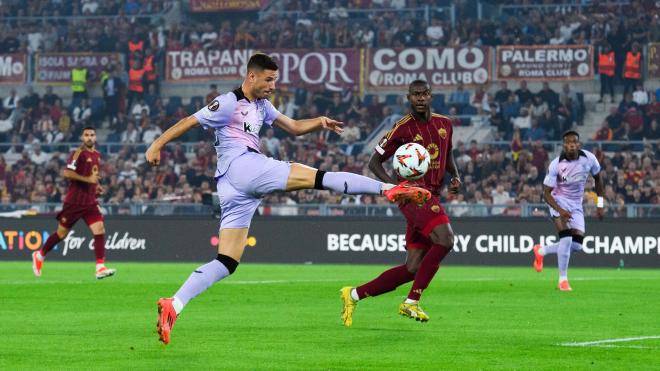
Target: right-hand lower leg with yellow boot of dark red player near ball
column 410, row 307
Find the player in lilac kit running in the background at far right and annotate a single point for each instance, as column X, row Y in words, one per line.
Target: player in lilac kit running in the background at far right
column 563, row 192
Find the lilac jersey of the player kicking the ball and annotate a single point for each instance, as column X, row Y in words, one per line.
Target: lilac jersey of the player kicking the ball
column 236, row 122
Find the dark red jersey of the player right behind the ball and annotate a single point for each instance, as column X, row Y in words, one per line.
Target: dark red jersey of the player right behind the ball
column 435, row 135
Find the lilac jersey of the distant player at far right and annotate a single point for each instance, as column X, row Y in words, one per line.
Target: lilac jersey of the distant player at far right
column 568, row 177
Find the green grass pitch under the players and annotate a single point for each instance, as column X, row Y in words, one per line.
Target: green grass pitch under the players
column 287, row 317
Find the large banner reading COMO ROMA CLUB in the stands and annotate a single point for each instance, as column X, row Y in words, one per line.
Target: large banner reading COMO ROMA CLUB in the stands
column 395, row 69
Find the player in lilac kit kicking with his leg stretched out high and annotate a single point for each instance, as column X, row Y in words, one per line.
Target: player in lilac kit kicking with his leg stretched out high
column 244, row 175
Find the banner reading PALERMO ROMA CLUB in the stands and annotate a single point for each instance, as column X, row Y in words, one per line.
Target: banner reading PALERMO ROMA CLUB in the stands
column 544, row 62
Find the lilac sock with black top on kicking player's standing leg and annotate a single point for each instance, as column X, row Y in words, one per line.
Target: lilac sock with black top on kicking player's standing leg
column 203, row 277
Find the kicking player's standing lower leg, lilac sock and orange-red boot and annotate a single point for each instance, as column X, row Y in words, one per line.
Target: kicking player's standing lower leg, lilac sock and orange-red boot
column 200, row 280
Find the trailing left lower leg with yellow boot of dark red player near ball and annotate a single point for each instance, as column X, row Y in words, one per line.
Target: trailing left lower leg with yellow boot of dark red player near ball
column 385, row 282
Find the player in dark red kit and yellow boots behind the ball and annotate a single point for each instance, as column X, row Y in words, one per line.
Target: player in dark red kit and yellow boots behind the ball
column 429, row 237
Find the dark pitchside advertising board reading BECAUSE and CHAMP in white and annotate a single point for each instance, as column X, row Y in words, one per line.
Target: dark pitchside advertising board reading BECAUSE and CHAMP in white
column 478, row 241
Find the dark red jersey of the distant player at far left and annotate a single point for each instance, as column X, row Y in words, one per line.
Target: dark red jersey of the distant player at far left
column 84, row 162
